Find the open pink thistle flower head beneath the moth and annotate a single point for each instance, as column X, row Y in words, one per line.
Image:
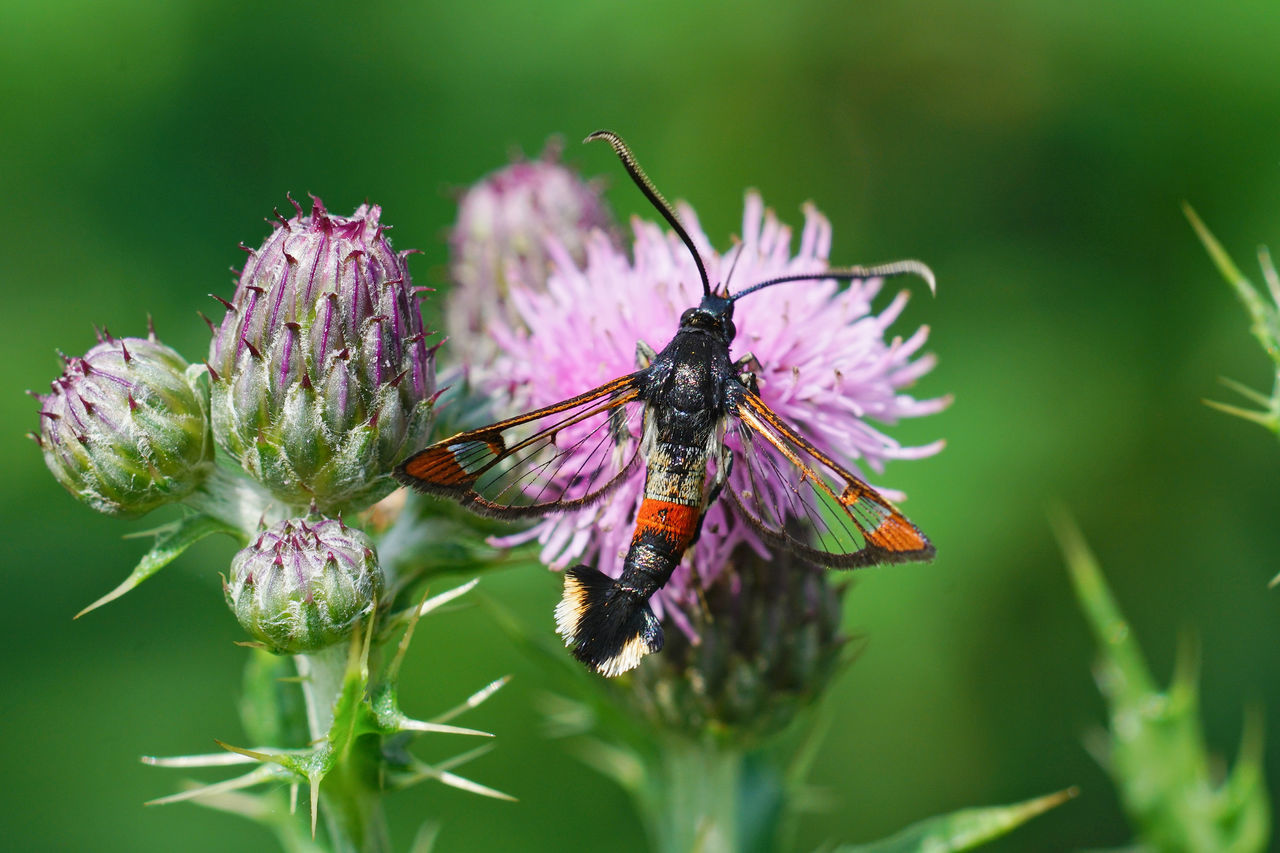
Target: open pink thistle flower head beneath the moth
column 826, row 366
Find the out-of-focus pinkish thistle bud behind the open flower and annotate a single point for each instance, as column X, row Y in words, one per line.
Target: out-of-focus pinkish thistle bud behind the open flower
column 504, row 225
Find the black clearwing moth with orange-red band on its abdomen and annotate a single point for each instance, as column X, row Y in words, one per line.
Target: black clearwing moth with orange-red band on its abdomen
column 671, row 417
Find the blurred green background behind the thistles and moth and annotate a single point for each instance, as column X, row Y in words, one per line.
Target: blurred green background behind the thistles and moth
column 1034, row 153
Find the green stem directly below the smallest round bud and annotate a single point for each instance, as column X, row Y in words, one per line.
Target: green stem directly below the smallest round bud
column 351, row 800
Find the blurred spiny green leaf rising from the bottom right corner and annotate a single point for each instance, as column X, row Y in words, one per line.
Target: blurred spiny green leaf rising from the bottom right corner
column 1155, row 751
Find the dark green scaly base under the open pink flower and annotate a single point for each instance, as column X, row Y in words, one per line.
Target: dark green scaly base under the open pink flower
column 771, row 649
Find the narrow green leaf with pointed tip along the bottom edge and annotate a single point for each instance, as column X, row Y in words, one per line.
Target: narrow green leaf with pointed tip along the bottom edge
column 962, row 831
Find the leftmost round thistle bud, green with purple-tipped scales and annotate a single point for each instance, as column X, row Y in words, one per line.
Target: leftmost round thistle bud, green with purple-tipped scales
column 124, row 430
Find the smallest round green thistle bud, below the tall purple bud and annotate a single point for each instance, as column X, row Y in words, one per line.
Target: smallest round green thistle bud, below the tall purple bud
column 304, row 585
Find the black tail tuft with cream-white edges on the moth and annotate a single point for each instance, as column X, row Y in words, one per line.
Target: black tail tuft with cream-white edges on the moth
column 610, row 630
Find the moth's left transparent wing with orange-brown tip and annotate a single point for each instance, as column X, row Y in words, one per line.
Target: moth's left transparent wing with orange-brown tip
column 551, row 460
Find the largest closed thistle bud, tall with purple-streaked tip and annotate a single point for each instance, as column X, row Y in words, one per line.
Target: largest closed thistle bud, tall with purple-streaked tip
column 323, row 377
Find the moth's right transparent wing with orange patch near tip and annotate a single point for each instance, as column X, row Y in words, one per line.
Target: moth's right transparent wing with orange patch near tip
column 799, row 498
